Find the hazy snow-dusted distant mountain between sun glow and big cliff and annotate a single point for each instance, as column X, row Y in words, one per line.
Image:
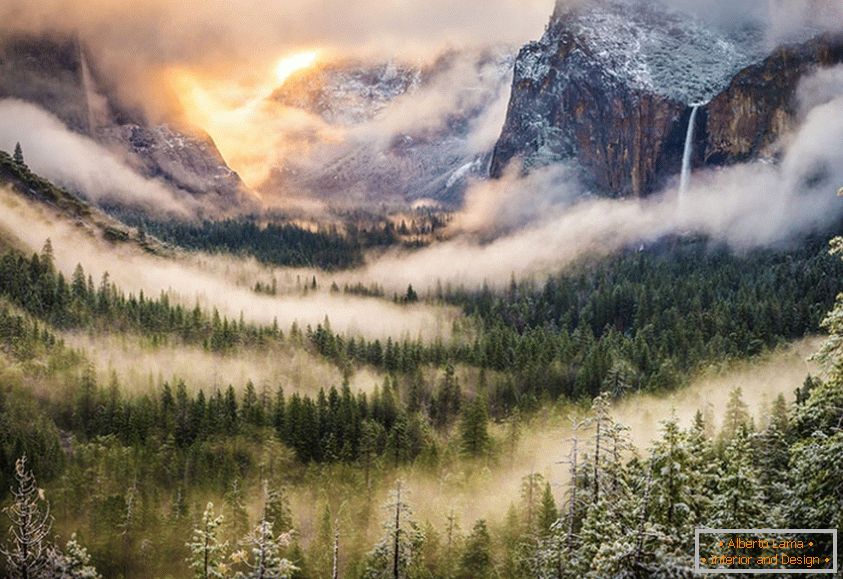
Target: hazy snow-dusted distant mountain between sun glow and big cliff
column 407, row 131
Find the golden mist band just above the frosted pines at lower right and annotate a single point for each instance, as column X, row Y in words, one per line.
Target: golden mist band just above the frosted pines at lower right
column 476, row 492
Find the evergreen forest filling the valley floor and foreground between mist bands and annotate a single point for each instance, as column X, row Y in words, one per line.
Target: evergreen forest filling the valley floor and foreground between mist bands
column 255, row 480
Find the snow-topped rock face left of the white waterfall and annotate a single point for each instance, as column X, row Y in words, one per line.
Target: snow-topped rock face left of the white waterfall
column 610, row 85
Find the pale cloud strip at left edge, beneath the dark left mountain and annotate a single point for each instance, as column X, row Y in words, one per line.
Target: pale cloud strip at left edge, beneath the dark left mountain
column 77, row 163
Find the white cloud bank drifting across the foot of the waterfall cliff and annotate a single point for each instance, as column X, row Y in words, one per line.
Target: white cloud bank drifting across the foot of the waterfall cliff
column 537, row 224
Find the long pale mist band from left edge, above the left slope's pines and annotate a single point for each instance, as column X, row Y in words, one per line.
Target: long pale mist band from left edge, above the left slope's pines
column 189, row 283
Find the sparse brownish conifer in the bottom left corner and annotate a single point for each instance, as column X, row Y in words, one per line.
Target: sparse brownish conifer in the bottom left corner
column 28, row 547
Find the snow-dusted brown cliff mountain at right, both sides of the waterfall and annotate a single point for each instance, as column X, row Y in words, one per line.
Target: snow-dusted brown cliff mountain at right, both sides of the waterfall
column 612, row 85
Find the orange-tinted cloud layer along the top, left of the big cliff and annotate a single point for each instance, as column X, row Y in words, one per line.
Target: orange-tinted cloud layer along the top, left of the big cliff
column 243, row 40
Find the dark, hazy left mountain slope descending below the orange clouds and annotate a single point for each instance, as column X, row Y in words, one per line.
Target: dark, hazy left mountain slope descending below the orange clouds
column 55, row 74
